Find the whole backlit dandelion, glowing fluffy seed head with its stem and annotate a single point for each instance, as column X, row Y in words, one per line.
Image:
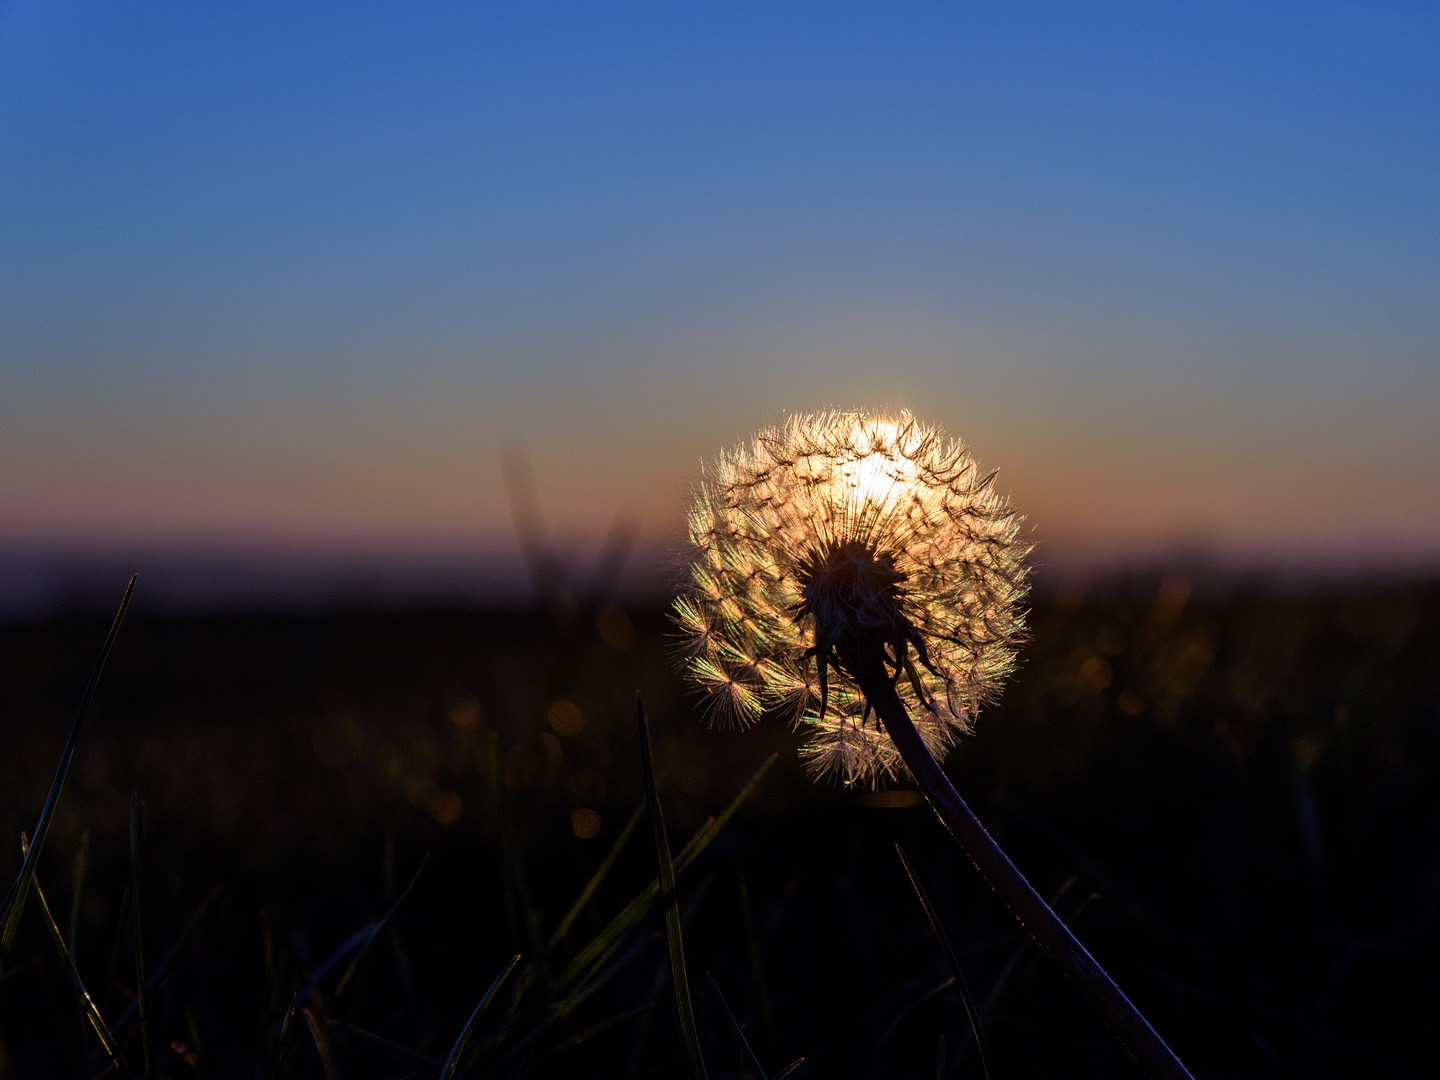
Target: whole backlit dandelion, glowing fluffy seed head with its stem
column 862, row 577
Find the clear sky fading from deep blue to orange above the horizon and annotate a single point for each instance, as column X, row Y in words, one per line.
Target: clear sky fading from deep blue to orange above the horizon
column 294, row 274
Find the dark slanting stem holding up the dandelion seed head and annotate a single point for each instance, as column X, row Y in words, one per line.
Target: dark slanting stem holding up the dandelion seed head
column 1138, row 1038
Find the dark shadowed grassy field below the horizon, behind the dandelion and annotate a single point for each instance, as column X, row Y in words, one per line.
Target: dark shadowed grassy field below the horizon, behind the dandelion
column 1236, row 800
